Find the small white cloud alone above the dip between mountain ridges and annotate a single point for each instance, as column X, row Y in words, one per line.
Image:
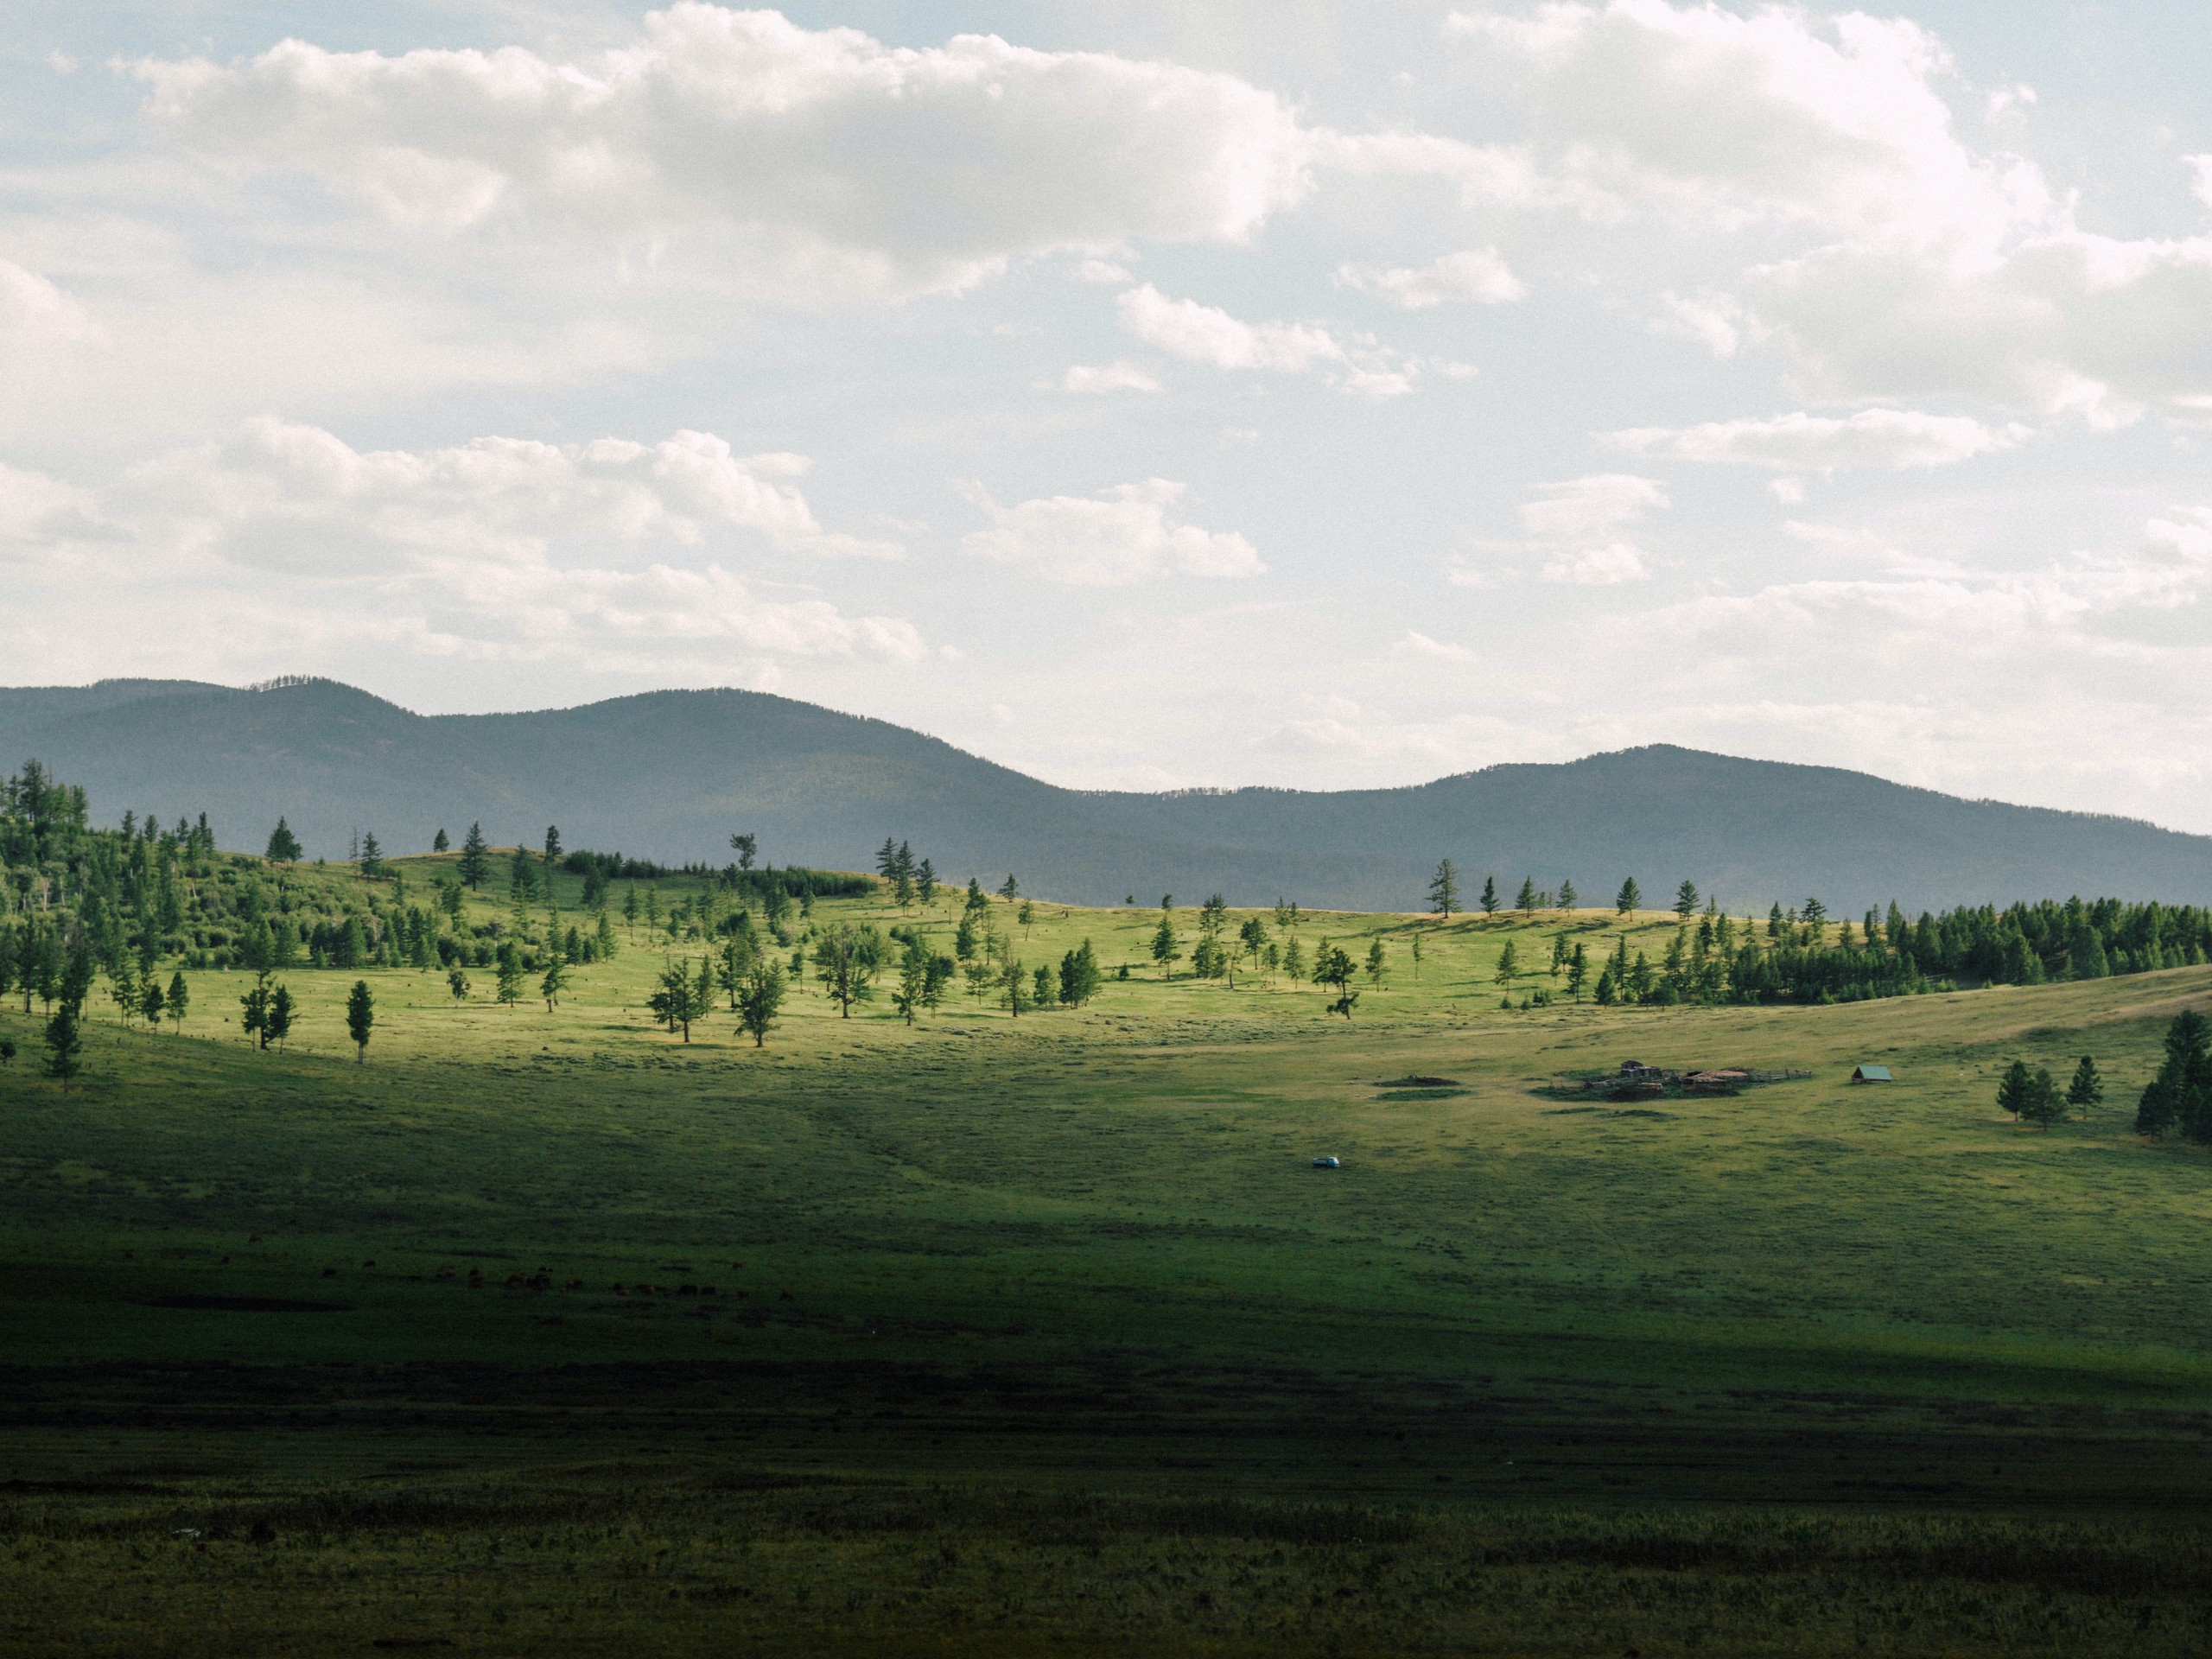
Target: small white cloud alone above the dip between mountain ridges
column 1103, row 541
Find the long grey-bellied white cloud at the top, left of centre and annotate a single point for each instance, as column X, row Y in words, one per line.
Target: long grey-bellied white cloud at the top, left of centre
column 817, row 158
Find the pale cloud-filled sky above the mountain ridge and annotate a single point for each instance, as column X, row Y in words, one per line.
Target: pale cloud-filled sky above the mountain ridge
column 1140, row 393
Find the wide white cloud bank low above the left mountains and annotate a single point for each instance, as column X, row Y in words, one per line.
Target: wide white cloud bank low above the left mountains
column 609, row 552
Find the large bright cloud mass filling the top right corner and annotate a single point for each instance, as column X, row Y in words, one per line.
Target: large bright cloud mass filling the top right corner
column 1921, row 267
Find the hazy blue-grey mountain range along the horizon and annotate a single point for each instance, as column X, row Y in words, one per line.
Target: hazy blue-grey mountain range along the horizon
column 671, row 775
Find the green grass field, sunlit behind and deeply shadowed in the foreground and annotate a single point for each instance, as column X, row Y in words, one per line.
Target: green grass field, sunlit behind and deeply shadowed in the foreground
column 1043, row 1335
